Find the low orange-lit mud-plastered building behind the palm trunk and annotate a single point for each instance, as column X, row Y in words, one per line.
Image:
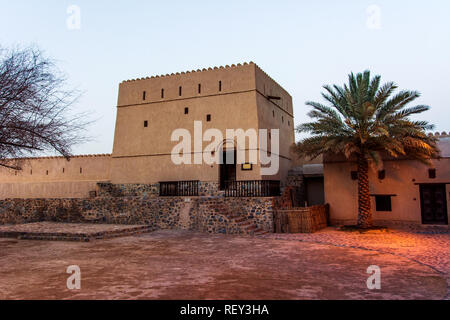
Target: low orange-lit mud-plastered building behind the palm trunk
column 404, row 192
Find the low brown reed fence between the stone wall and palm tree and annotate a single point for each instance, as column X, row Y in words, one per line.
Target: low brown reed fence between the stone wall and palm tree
column 301, row 220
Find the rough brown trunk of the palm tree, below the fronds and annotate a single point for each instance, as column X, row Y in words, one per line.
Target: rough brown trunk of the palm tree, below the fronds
column 364, row 209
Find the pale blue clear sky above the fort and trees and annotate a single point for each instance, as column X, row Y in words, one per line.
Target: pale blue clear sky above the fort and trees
column 303, row 45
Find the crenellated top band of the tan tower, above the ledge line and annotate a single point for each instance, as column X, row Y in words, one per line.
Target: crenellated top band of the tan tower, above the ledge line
column 212, row 81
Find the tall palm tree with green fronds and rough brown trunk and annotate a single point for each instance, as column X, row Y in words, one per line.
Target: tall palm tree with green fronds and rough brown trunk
column 363, row 121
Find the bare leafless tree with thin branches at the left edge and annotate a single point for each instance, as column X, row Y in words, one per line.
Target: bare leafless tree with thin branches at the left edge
column 35, row 108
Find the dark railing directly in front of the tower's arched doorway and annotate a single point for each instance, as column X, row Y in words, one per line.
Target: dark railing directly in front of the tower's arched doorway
column 252, row 188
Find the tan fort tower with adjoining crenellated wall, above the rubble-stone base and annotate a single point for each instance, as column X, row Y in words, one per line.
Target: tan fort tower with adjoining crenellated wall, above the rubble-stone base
column 148, row 112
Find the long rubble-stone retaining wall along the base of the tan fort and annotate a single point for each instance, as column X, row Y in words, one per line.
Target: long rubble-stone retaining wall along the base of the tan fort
column 207, row 214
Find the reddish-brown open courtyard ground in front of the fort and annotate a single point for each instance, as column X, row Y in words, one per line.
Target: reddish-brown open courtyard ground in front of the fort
column 186, row 265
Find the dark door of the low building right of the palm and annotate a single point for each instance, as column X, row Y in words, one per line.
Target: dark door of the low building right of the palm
column 433, row 201
